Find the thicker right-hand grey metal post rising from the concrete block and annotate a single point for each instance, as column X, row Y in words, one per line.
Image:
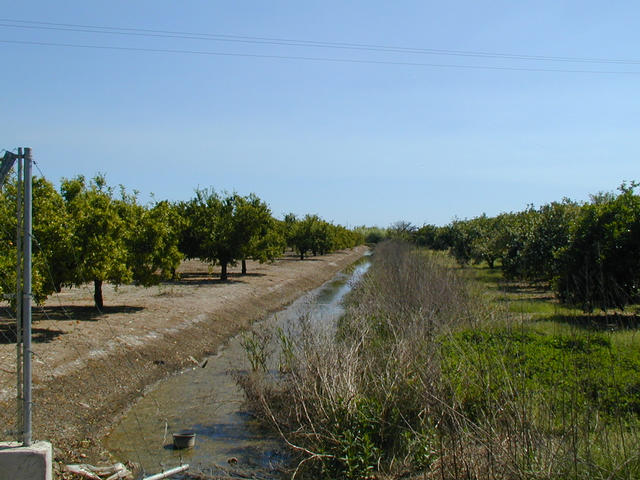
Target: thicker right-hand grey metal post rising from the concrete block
column 26, row 297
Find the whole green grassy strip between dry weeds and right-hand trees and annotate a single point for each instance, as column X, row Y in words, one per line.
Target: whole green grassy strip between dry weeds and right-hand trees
column 551, row 372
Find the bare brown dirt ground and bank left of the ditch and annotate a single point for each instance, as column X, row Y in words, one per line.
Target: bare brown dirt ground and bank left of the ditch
column 89, row 366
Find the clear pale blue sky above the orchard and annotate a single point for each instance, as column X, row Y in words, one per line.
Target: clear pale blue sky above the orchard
column 357, row 142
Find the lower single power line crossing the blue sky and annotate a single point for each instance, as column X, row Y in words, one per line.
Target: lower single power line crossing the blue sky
column 320, row 59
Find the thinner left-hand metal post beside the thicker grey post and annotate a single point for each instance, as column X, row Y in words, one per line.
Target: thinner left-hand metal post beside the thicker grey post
column 19, row 424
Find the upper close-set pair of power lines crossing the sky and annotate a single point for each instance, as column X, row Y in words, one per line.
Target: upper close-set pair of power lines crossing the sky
column 71, row 27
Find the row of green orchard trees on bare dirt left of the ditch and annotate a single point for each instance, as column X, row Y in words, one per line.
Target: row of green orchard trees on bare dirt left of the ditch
column 91, row 232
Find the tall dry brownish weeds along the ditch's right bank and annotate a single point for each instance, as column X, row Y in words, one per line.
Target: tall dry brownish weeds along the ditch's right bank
column 359, row 398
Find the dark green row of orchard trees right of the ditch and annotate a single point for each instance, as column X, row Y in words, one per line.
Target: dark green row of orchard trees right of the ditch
column 588, row 252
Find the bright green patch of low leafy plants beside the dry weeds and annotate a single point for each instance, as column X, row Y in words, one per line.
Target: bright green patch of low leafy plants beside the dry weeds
column 568, row 371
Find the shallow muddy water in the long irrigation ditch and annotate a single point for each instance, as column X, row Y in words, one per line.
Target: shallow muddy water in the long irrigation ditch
column 207, row 401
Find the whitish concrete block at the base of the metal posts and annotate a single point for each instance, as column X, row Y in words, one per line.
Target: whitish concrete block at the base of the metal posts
column 25, row 463
